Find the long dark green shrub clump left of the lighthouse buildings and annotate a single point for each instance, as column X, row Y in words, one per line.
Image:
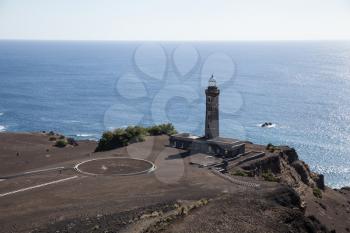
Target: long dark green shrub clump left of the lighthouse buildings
column 124, row 136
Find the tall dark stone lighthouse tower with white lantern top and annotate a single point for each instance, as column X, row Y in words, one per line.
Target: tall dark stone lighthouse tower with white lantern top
column 212, row 110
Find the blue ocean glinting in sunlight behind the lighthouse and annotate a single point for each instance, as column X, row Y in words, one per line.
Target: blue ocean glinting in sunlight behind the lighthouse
column 84, row 88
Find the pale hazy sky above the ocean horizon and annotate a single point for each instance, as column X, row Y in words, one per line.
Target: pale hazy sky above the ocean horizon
column 175, row 19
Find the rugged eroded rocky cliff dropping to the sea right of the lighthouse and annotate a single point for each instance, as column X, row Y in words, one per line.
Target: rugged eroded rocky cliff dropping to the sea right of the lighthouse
column 281, row 164
